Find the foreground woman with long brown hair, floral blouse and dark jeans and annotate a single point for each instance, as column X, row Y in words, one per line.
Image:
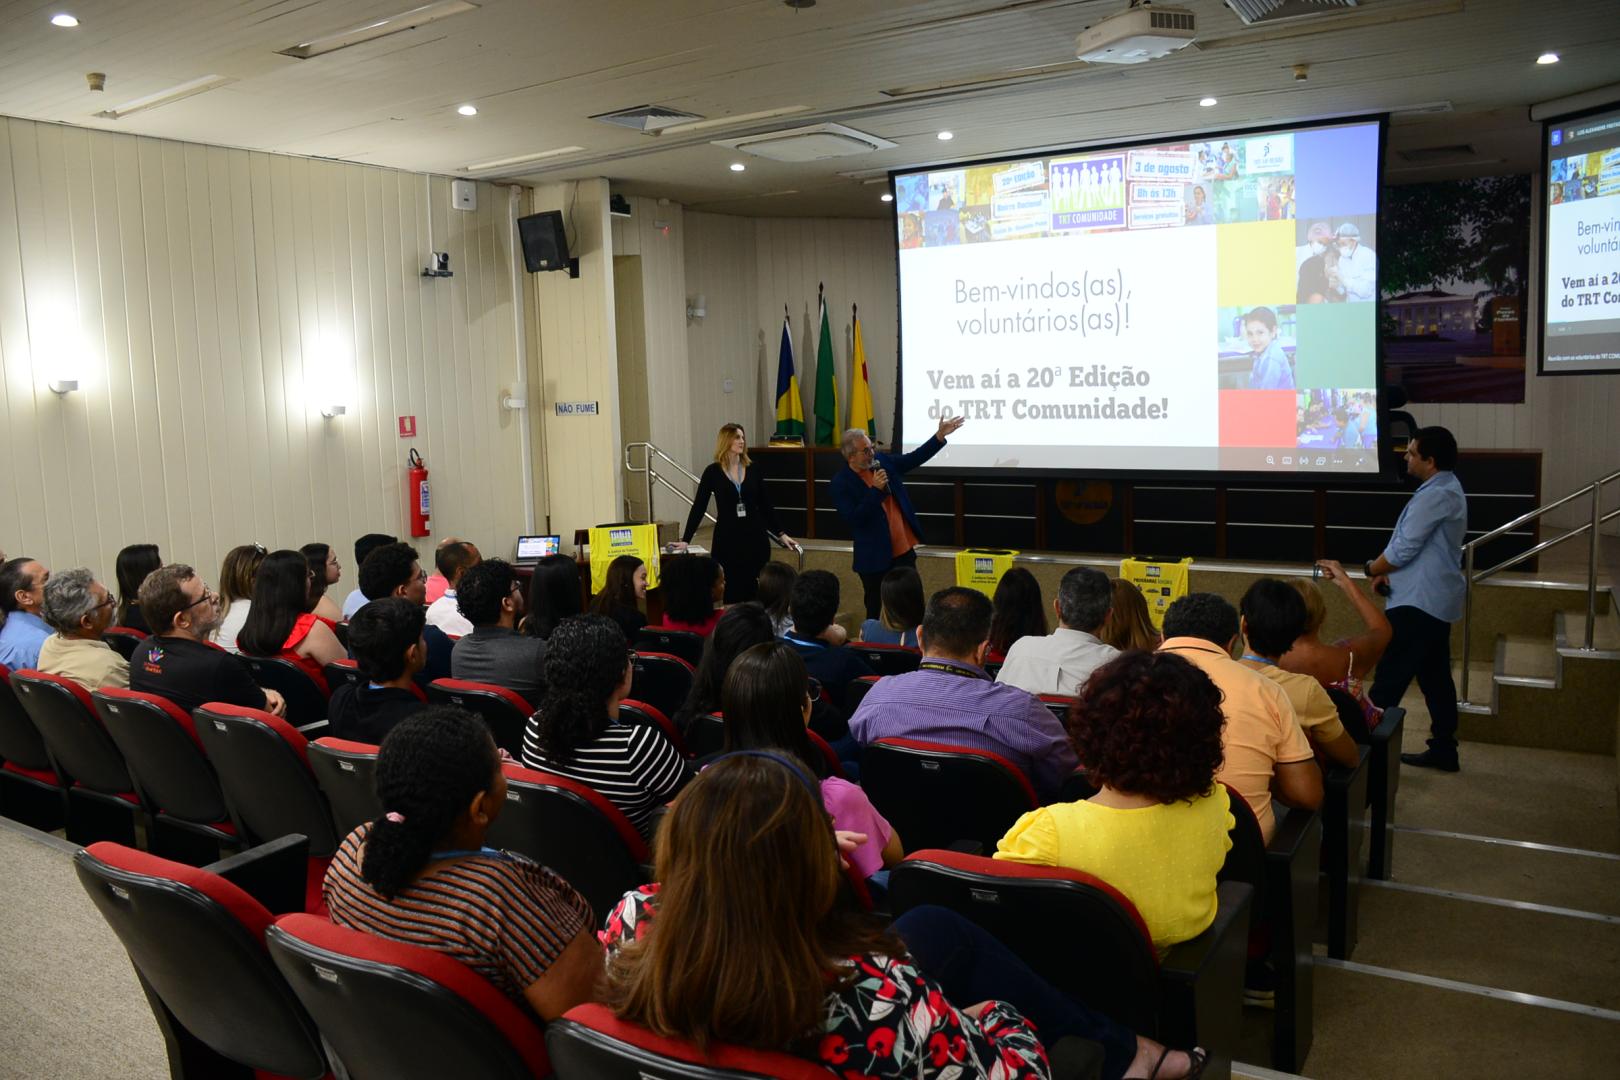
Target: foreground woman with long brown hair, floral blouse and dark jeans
column 932, row 997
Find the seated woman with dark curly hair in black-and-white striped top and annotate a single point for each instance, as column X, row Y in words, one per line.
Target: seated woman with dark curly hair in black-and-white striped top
column 576, row 733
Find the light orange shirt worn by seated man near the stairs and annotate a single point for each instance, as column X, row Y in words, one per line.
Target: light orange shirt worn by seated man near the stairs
column 1261, row 728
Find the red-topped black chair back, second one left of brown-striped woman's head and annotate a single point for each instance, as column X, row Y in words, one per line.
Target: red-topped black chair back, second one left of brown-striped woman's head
column 263, row 767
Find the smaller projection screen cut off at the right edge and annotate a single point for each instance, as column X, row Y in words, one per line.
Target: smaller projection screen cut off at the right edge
column 1582, row 247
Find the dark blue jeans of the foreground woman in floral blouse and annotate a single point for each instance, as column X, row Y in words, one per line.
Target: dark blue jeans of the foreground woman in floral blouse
column 973, row 967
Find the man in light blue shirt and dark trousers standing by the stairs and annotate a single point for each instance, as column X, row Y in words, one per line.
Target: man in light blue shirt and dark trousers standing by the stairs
column 1422, row 566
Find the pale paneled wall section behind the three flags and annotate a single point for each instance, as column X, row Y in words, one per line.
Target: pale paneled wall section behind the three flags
column 749, row 268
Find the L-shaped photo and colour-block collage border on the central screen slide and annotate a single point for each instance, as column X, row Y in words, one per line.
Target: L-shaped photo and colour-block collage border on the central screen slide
column 1297, row 261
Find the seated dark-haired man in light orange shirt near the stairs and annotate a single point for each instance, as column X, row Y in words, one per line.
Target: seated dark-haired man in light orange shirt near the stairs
column 1263, row 742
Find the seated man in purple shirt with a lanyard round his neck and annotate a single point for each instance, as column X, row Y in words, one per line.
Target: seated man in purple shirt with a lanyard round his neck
column 952, row 700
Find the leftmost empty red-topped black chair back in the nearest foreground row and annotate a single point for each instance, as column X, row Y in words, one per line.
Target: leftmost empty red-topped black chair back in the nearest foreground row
column 198, row 946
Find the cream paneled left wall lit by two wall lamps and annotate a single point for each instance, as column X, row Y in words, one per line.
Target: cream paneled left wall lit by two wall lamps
column 211, row 300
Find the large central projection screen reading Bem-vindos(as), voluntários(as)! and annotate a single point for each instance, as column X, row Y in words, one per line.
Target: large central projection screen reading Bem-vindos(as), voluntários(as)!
column 1188, row 307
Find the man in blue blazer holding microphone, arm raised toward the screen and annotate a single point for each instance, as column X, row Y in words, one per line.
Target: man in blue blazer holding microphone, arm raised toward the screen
column 871, row 495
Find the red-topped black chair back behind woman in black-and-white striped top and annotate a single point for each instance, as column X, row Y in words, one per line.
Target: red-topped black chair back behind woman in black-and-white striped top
column 576, row 831
